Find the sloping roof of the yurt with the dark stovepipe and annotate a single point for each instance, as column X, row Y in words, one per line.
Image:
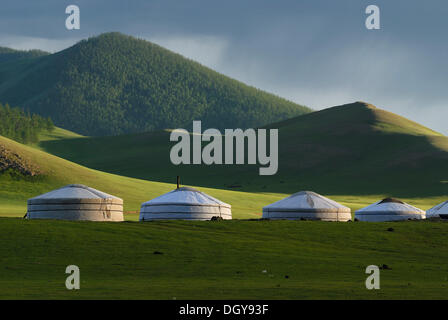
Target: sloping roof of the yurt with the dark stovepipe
column 186, row 196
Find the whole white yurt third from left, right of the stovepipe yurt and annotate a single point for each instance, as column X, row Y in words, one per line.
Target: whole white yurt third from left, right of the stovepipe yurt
column 309, row 206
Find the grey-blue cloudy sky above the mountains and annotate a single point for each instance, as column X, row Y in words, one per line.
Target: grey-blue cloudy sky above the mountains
column 314, row 52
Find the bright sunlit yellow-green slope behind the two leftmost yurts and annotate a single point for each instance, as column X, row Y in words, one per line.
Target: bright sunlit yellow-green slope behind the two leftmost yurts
column 26, row 172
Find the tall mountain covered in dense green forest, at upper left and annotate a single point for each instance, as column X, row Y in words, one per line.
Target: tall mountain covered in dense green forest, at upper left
column 114, row 84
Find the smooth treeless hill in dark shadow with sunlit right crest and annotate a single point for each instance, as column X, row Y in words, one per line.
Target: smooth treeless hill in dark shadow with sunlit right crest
column 355, row 153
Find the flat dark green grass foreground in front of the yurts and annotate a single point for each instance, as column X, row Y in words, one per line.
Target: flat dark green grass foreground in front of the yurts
column 222, row 260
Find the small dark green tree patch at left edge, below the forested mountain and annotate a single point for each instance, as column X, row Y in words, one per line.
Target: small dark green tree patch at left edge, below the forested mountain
column 21, row 126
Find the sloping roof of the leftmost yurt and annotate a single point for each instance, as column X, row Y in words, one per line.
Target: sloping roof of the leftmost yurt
column 74, row 192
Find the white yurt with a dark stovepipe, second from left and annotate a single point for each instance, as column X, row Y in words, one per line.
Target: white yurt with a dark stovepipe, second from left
column 185, row 204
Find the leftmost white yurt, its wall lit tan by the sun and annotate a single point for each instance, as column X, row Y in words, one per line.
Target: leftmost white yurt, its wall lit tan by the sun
column 76, row 202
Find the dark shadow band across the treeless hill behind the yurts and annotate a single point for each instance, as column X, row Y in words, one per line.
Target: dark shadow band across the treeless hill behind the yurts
column 398, row 165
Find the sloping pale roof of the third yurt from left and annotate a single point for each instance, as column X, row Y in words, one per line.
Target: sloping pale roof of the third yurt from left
column 307, row 201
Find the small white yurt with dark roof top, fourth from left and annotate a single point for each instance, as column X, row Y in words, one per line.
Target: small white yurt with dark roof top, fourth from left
column 389, row 209
